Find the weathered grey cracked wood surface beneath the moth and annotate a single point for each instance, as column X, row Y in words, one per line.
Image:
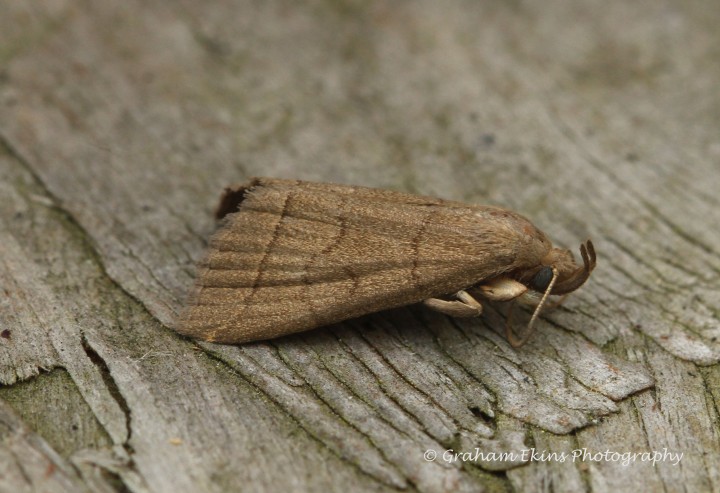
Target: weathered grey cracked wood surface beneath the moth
column 120, row 122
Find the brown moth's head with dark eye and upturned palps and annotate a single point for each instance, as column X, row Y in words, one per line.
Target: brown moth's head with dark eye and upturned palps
column 560, row 262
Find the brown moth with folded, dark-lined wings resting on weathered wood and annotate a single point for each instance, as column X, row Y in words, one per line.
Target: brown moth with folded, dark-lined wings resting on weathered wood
column 292, row 255
